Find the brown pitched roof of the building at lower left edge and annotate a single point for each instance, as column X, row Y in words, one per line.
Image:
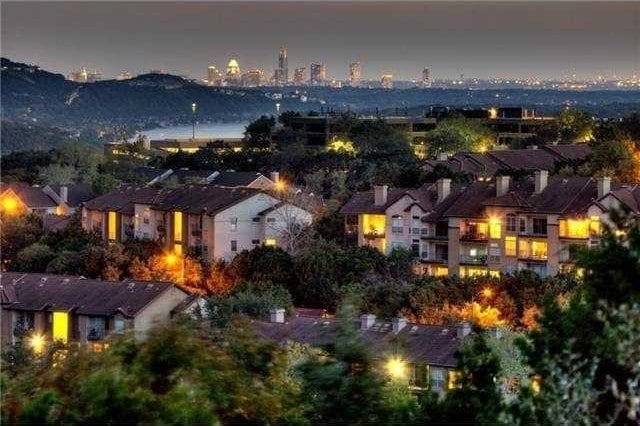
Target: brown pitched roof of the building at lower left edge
column 48, row 292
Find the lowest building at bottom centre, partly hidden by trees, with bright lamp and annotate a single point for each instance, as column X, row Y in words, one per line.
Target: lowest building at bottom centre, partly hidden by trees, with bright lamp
column 422, row 354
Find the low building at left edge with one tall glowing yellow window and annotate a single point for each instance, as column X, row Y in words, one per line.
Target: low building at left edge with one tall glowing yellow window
column 47, row 308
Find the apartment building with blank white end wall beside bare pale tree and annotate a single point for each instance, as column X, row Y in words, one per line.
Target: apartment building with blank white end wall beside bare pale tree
column 217, row 222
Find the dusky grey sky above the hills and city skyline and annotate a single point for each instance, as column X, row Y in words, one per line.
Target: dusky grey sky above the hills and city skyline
column 477, row 39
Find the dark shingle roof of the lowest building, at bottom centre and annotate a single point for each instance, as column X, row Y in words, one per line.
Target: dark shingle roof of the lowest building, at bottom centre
column 433, row 345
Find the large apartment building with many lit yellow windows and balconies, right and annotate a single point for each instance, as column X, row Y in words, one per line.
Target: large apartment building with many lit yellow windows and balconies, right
column 490, row 226
